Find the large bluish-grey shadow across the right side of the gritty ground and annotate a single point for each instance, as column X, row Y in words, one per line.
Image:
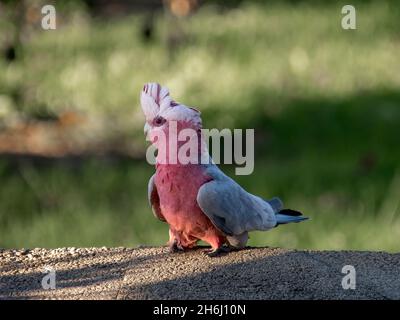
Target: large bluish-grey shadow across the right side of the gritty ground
column 289, row 275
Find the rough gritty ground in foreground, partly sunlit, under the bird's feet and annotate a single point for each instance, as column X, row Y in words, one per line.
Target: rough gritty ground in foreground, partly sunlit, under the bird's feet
column 154, row 273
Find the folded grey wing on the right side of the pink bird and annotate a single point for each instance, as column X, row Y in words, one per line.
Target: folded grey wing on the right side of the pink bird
column 232, row 209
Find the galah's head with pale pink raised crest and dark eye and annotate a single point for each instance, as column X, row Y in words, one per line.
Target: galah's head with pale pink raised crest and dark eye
column 162, row 113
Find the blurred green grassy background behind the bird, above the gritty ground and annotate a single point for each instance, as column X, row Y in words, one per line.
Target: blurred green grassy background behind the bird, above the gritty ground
column 324, row 102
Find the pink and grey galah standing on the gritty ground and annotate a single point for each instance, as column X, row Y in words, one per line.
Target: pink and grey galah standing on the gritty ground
column 197, row 200
